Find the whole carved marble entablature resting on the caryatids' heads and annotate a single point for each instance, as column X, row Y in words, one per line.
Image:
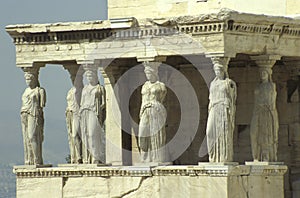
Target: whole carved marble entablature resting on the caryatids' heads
column 227, row 32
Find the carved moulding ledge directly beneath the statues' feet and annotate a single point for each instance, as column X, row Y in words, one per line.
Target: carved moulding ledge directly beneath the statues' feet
column 135, row 171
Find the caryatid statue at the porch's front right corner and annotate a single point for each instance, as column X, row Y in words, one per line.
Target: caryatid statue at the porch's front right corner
column 221, row 114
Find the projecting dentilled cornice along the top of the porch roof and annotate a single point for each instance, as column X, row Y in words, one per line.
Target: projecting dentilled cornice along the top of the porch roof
column 225, row 21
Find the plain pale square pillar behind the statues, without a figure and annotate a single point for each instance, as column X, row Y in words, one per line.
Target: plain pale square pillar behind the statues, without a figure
column 113, row 123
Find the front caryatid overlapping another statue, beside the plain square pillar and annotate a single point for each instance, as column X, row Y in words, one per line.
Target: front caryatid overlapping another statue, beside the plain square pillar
column 92, row 109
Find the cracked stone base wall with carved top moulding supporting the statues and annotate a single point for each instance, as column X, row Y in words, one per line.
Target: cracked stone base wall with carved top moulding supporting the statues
column 168, row 181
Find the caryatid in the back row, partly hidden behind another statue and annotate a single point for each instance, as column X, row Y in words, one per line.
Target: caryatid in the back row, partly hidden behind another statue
column 73, row 118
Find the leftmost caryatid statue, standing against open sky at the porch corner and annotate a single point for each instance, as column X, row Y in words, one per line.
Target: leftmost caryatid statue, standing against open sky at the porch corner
column 32, row 118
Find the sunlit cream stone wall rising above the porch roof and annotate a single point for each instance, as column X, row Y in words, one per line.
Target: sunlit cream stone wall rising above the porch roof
column 170, row 8
